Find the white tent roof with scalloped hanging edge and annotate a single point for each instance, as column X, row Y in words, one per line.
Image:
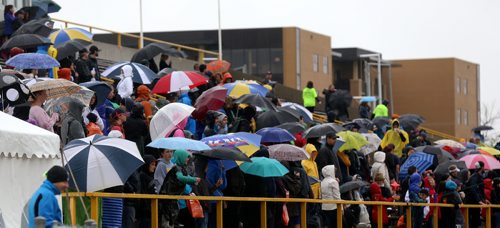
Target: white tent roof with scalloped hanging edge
column 19, row 138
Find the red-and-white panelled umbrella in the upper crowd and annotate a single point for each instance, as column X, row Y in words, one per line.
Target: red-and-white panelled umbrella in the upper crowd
column 178, row 79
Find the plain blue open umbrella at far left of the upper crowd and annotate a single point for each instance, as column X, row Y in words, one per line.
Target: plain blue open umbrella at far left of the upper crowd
column 32, row 61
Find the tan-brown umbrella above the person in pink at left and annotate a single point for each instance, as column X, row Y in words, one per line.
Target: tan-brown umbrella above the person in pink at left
column 56, row 88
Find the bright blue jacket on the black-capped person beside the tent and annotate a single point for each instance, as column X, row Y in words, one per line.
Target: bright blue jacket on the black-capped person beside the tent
column 44, row 203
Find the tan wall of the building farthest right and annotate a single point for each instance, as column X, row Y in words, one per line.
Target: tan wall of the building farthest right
column 428, row 87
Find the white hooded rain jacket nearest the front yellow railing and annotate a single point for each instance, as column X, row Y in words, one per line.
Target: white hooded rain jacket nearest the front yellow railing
column 330, row 189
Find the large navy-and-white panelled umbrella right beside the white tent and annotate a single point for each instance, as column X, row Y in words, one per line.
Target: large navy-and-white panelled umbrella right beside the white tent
column 99, row 162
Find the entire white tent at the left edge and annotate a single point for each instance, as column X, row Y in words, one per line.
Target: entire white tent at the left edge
column 26, row 153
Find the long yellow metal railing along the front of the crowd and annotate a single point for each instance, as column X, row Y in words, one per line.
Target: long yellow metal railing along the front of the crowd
column 94, row 200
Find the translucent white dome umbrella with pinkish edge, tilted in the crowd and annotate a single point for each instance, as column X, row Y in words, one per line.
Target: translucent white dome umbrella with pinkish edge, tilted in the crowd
column 167, row 118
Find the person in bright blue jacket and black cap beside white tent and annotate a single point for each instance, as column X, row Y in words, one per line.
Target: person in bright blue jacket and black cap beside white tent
column 44, row 202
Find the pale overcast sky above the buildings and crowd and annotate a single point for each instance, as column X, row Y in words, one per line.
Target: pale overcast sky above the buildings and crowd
column 398, row 29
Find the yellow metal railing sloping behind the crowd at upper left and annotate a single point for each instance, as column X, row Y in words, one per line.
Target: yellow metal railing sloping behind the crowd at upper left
column 120, row 35
